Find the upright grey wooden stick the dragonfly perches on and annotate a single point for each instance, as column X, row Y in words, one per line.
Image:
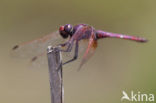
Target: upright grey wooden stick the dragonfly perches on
column 55, row 74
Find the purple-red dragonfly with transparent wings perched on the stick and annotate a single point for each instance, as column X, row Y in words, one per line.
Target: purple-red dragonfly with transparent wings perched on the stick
column 73, row 35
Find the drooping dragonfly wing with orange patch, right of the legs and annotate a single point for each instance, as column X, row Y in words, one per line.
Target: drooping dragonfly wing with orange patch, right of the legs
column 90, row 50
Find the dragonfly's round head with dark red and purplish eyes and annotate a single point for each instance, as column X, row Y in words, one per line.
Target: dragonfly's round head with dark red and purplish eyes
column 66, row 30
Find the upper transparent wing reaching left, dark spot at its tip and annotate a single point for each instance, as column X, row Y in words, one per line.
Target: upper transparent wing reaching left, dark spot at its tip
column 37, row 46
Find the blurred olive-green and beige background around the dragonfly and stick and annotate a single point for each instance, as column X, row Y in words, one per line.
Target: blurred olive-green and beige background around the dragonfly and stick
column 116, row 66
